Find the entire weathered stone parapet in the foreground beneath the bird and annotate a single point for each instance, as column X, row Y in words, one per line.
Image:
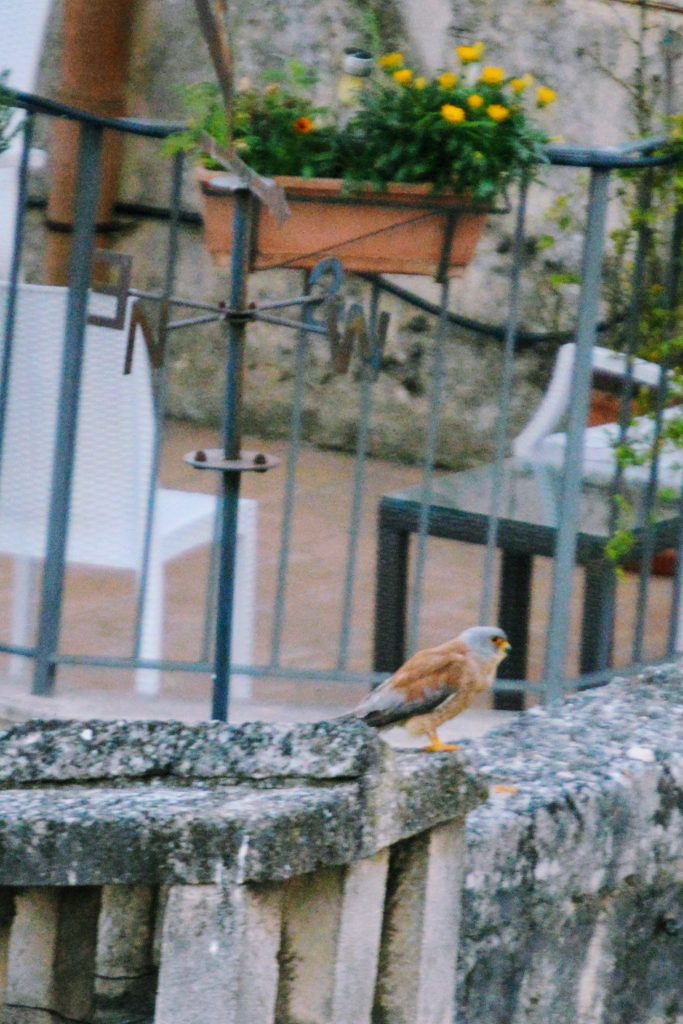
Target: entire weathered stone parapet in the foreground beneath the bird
column 308, row 875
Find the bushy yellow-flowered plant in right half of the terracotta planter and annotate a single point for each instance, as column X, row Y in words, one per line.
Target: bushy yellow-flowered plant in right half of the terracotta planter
column 469, row 132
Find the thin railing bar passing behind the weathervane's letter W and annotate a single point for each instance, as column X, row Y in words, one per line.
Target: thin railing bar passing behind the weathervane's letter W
column 367, row 393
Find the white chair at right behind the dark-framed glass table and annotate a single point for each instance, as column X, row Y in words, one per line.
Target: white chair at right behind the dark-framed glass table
column 540, row 443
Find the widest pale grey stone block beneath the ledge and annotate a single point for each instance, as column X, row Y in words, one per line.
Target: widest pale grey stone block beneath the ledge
column 220, row 955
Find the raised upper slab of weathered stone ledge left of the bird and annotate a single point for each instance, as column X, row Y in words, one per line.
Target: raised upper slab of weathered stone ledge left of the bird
column 59, row 752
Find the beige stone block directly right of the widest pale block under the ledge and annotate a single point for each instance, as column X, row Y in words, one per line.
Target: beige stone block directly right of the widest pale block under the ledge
column 331, row 943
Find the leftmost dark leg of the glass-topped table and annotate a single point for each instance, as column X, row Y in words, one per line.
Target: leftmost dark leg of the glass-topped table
column 391, row 599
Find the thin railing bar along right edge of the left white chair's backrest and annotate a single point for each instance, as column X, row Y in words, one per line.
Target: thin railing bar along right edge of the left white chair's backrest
column 160, row 397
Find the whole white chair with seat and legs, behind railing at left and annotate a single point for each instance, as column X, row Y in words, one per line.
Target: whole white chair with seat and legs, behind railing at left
column 113, row 474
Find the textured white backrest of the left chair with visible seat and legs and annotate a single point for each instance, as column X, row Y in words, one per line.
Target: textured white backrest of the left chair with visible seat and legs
column 115, row 441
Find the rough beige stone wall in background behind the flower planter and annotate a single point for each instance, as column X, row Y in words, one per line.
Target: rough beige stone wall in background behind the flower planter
column 559, row 40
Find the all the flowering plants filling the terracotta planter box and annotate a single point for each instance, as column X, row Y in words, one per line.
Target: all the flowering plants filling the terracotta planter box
column 404, row 130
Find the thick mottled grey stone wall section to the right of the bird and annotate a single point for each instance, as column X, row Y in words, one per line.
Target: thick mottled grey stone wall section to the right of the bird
column 574, row 877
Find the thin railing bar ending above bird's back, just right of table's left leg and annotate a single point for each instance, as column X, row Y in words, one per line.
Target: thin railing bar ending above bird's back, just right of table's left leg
column 429, row 471
